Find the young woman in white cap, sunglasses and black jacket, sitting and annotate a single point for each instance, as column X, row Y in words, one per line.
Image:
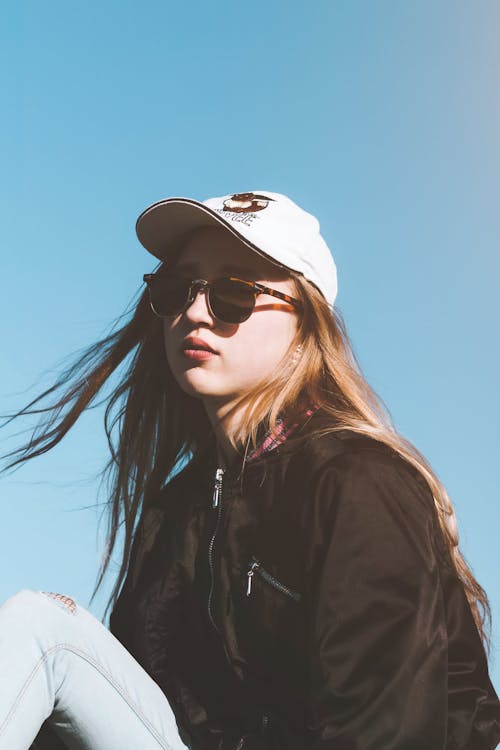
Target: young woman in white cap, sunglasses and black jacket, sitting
column 293, row 579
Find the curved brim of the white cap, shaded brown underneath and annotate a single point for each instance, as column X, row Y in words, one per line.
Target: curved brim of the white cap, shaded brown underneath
column 162, row 224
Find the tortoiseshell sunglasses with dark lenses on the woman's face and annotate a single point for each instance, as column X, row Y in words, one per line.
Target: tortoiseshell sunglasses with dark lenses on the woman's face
column 229, row 299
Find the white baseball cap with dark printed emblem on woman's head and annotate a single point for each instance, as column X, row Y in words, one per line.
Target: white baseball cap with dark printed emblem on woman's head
column 269, row 223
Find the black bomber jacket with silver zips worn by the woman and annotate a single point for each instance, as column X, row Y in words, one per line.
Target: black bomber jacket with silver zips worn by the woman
column 310, row 604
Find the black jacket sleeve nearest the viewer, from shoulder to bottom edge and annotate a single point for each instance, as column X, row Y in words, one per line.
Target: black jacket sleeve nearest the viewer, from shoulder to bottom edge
column 378, row 639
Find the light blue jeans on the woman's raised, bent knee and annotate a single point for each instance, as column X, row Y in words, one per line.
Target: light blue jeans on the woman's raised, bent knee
column 59, row 662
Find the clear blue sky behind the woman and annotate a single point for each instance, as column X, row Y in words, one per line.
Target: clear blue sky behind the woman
column 383, row 119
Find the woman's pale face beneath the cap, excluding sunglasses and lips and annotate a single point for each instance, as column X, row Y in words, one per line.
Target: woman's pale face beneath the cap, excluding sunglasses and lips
column 245, row 353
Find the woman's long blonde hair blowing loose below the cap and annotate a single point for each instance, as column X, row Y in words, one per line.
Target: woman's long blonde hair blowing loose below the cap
column 153, row 427
